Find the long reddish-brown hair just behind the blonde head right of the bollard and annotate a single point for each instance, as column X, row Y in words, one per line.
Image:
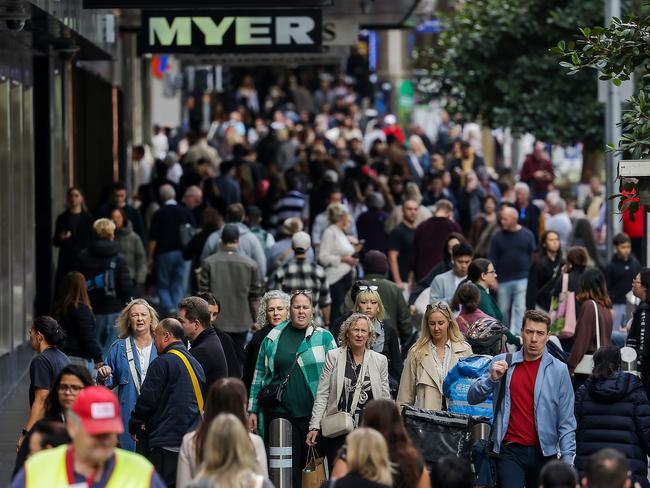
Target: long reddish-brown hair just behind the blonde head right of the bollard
column 384, row 417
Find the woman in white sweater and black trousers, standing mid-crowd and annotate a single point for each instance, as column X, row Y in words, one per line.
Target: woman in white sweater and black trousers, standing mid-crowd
column 337, row 255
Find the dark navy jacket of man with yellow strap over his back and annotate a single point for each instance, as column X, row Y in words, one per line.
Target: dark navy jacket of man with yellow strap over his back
column 167, row 405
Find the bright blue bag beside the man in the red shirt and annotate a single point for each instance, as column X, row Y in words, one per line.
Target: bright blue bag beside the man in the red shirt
column 458, row 381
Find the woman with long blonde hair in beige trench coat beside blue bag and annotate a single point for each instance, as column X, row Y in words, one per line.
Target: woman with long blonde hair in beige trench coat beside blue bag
column 438, row 349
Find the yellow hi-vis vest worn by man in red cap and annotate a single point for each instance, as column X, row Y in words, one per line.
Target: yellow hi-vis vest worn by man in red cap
column 48, row 469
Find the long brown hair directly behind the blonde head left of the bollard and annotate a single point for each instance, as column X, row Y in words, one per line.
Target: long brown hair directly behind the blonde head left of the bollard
column 227, row 395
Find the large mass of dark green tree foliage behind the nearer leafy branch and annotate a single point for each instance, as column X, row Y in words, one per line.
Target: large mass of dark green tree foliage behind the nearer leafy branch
column 493, row 62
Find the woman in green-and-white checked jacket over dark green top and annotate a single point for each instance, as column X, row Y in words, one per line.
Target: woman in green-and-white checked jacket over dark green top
column 288, row 367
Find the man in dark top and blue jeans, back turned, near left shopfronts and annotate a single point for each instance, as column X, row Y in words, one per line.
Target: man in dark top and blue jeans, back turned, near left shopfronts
column 166, row 249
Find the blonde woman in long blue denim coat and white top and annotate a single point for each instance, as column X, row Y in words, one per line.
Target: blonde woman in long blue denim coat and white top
column 135, row 327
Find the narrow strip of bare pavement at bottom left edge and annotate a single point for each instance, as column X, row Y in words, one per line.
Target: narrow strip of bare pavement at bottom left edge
column 12, row 417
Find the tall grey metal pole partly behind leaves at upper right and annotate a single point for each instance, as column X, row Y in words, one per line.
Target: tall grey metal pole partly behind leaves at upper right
column 613, row 136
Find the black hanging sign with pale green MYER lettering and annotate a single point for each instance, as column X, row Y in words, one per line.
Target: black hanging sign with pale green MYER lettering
column 231, row 32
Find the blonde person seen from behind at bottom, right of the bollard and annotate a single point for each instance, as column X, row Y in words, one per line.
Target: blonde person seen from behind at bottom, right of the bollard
column 368, row 461
